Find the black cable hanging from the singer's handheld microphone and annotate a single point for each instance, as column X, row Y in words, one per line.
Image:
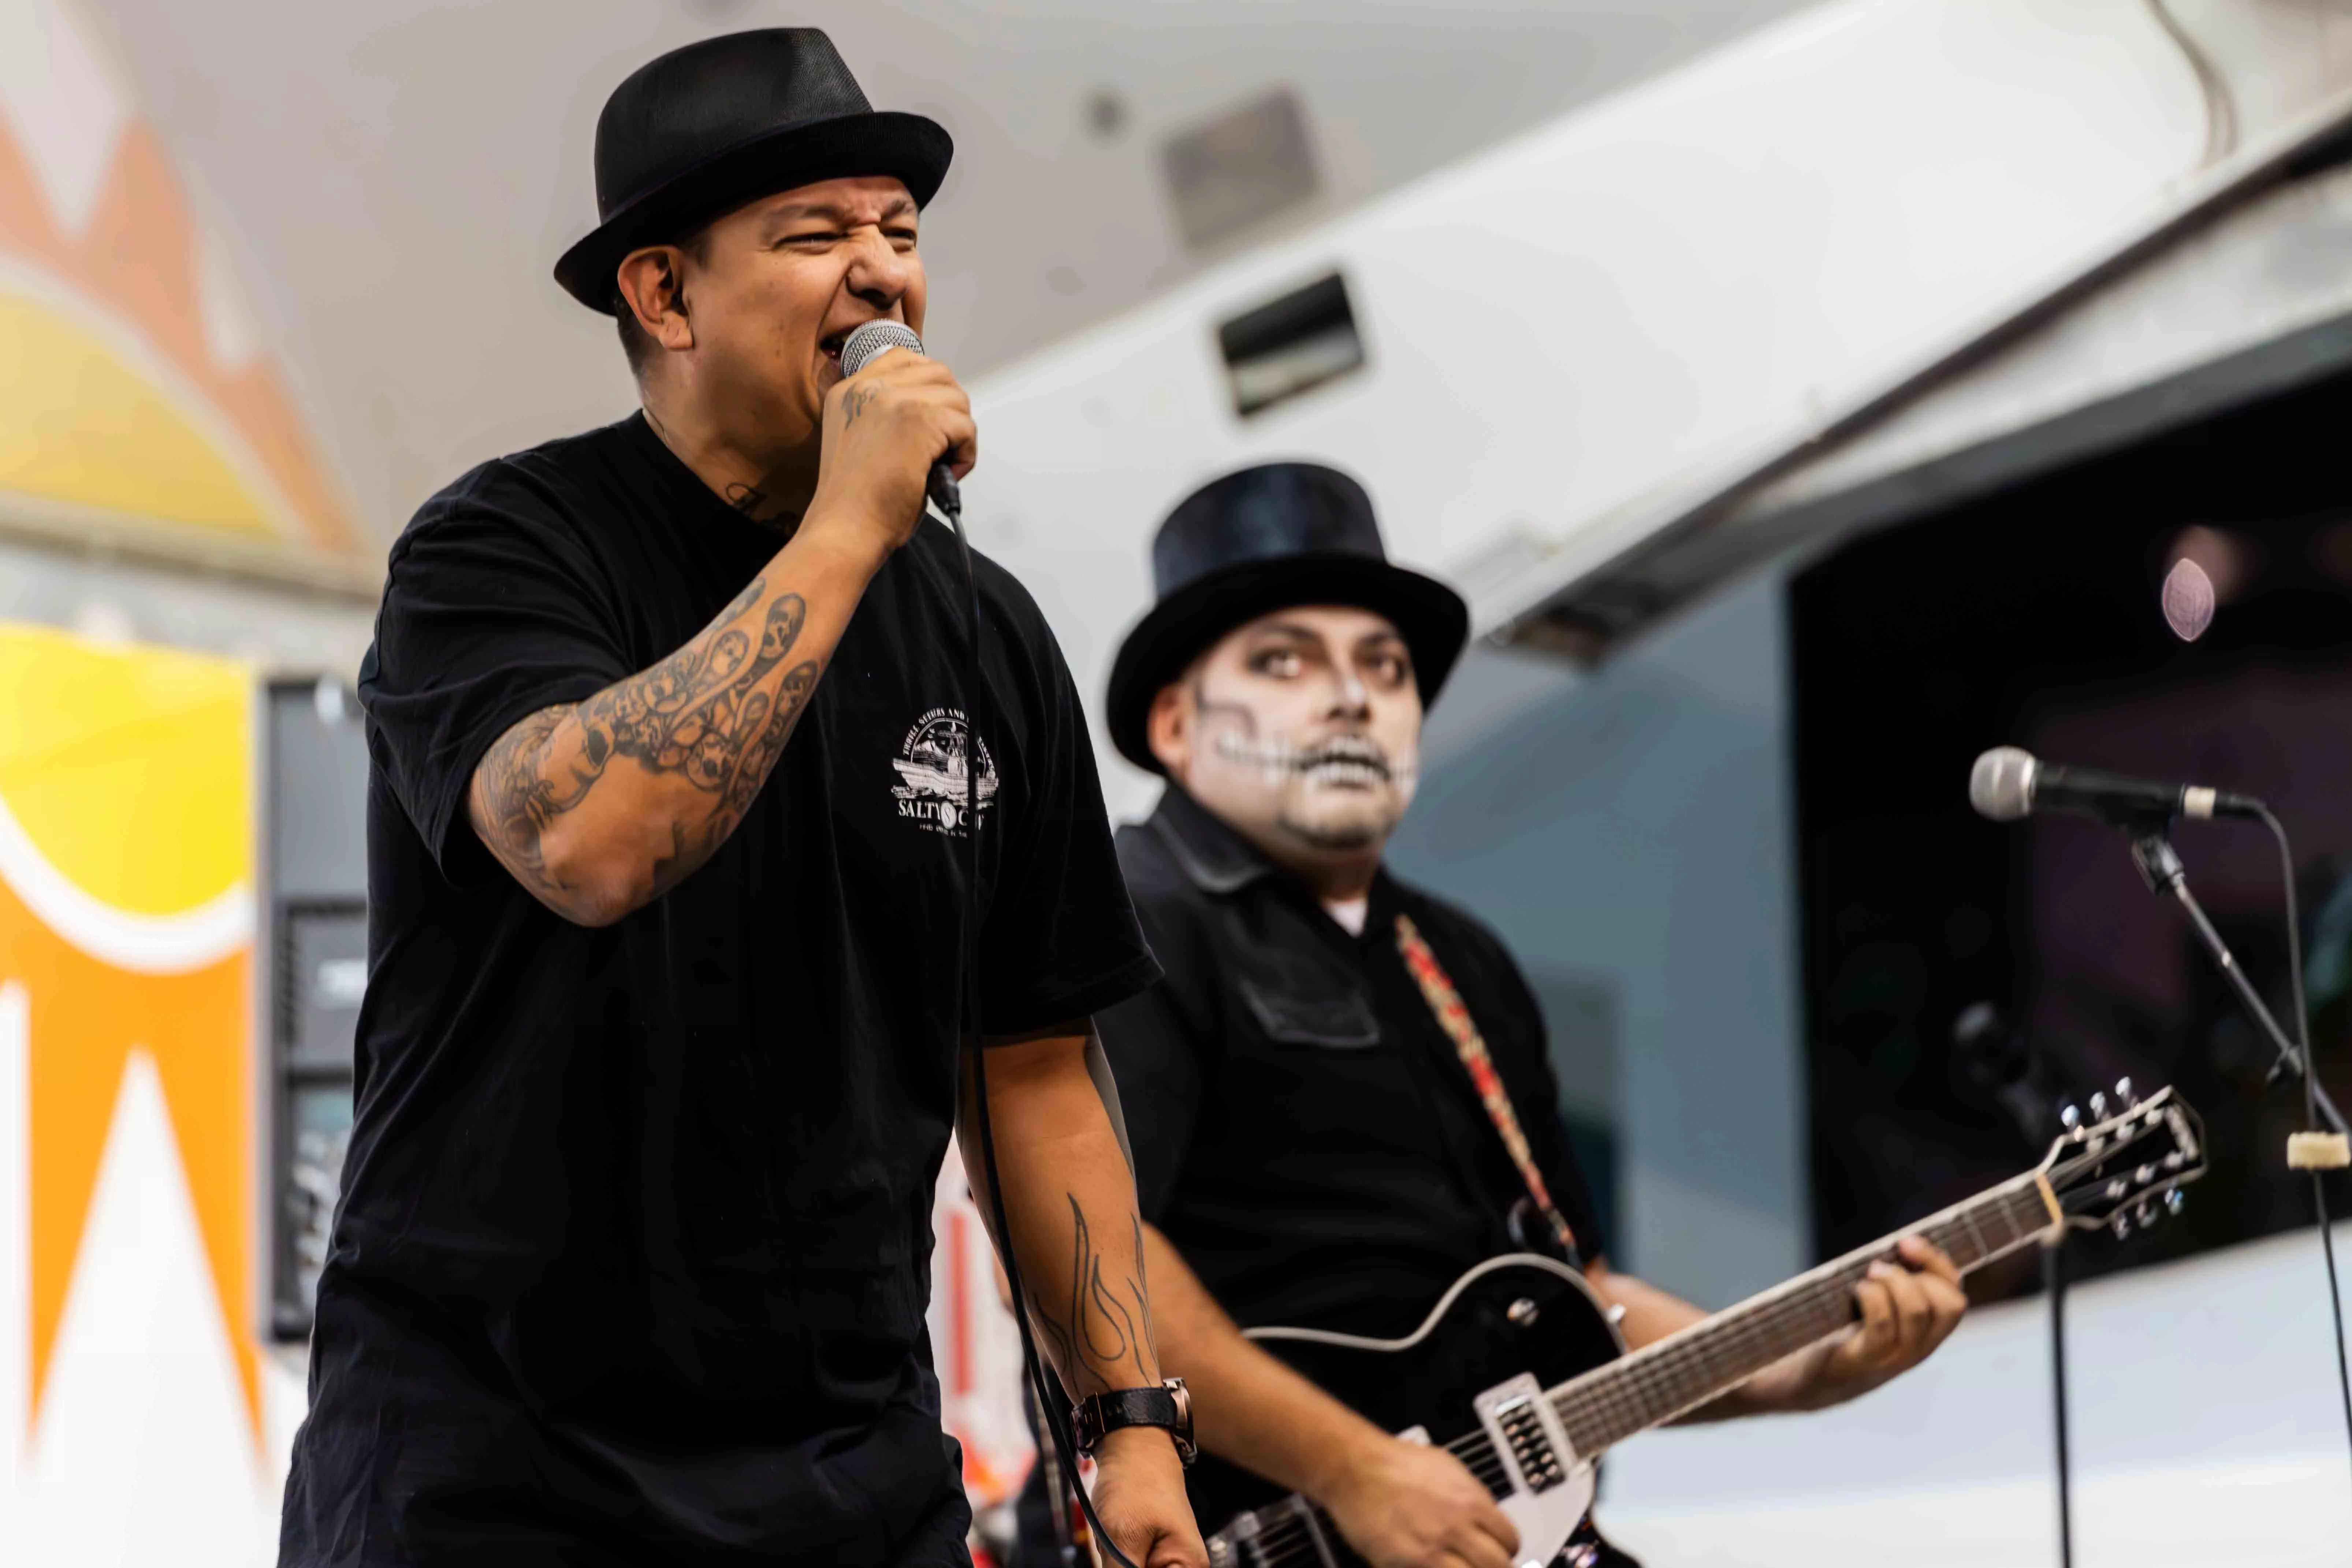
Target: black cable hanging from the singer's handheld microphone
column 1055, row 1416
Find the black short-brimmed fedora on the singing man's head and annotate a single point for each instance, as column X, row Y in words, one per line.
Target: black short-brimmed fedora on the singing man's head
column 702, row 130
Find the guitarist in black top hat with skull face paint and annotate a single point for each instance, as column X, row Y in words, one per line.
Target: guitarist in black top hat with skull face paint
column 1318, row 1148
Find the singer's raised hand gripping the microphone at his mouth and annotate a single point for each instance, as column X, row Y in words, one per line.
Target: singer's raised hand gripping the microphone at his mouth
column 886, row 427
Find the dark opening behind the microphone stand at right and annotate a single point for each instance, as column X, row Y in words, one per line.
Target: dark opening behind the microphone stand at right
column 2036, row 619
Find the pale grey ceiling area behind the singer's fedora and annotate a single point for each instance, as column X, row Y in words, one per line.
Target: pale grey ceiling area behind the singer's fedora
column 394, row 182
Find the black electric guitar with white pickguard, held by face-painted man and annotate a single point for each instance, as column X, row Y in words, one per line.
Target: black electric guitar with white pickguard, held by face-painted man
column 1523, row 1374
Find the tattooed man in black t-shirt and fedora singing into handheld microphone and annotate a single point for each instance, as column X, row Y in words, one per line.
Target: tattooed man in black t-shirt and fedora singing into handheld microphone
column 667, row 817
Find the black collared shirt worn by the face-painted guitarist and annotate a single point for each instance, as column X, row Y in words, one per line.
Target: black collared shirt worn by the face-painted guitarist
column 1304, row 1130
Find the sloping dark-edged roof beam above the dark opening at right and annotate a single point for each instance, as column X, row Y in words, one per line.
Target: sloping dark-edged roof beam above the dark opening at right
column 2054, row 375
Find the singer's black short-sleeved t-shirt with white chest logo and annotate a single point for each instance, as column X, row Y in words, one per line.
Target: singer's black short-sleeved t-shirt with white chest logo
column 634, row 1247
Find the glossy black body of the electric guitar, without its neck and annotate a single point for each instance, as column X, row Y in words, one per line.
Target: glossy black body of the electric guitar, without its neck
column 1516, row 1320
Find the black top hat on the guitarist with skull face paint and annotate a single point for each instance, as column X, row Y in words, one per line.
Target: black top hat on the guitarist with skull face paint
column 1264, row 540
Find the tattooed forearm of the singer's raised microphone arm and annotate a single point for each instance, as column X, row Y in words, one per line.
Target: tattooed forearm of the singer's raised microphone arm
column 714, row 718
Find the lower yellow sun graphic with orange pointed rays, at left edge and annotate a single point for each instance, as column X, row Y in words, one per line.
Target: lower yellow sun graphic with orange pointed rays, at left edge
column 126, row 920
